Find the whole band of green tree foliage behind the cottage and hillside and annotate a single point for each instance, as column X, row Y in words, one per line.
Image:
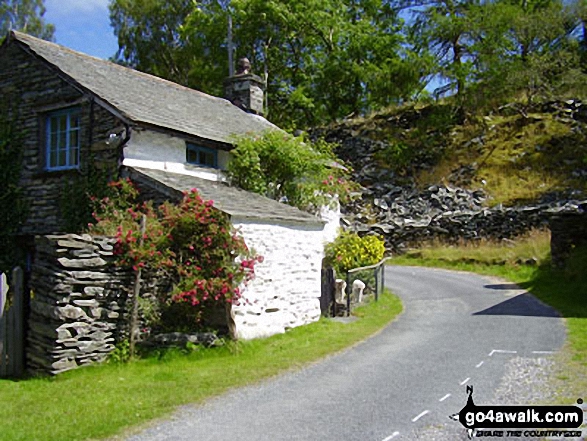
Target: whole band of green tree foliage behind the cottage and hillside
column 327, row 59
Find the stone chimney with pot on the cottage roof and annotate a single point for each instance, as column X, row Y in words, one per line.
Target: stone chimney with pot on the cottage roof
column 245, row 89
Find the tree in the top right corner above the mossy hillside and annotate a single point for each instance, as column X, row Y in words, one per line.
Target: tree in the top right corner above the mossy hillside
column 525, row 46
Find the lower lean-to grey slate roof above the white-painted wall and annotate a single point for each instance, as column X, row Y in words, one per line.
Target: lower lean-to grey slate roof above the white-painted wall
column 231, row 200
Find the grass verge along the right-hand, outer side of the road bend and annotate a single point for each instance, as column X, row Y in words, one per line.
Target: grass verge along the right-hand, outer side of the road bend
column 565, row 290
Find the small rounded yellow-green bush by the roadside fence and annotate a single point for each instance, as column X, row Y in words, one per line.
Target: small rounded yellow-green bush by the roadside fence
column 349, row 251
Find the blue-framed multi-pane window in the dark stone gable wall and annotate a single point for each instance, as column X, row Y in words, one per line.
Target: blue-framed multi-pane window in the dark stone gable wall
column 63, row 139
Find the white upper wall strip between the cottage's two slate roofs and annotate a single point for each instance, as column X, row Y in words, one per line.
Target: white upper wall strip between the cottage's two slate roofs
column 154, row 150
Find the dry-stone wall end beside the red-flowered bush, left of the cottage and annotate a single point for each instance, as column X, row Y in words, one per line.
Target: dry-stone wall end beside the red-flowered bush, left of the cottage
column 78, row 300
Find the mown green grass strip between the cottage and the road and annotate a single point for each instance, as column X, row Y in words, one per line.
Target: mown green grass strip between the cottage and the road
column 102, row 401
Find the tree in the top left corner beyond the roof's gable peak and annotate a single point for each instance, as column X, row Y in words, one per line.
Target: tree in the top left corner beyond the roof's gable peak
column 25, row 16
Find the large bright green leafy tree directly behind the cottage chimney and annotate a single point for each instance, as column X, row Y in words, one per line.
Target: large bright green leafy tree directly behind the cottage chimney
column 321, row 59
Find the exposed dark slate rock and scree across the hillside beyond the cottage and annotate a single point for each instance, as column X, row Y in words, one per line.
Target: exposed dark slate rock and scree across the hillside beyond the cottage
column 391, row 206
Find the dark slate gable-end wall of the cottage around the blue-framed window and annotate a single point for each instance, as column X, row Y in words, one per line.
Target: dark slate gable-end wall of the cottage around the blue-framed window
column 33, row 90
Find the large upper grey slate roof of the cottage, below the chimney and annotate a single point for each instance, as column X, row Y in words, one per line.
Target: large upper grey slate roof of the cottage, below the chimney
column 143, row 98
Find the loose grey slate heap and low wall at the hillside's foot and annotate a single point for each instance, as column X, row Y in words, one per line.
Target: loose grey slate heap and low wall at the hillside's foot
column 406, row 217
